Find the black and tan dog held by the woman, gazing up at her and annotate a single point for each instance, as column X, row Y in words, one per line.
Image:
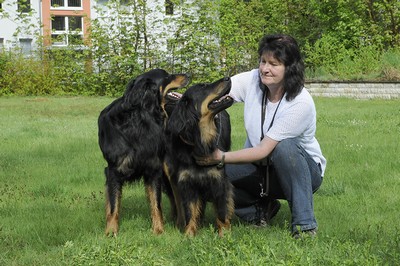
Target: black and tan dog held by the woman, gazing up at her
column 197, row 126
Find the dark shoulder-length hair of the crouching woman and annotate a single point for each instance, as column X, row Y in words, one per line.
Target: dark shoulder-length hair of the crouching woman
column 284, row 48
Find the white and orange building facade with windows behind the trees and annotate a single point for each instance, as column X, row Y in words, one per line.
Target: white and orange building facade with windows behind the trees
column 27, row 24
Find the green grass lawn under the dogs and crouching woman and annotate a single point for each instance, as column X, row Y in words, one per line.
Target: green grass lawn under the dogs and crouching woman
column 52, row 194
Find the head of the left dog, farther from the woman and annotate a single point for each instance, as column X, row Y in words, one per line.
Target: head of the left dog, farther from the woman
column 151, row 88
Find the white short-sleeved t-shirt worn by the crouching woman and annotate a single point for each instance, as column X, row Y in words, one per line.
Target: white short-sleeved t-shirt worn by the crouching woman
column 293, row 119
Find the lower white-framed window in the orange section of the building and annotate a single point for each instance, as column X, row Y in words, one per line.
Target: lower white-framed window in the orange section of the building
column 67, row 30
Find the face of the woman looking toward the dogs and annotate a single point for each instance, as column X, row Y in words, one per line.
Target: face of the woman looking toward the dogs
column 271, row 71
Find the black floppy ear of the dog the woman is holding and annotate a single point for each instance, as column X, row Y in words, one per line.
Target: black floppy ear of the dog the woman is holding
column 183, row 120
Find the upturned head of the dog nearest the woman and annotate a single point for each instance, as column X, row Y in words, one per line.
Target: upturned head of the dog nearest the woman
column 193, row 119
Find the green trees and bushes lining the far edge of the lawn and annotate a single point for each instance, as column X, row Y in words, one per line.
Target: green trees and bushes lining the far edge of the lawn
column 340, row 40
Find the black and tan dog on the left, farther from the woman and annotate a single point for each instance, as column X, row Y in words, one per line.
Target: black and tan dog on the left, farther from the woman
column 131, row 137
